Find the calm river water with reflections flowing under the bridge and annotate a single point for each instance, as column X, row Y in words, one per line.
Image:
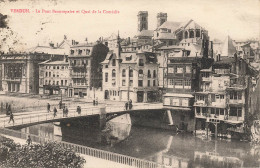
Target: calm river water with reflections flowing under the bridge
column 165, row 147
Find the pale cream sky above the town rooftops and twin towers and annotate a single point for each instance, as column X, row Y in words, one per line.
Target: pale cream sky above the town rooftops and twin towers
column 238, row 18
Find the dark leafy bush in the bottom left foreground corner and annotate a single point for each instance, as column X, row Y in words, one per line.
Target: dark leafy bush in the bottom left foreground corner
column 50, row 154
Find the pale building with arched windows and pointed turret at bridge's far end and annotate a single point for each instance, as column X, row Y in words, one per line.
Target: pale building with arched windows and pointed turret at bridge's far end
column 131, row 74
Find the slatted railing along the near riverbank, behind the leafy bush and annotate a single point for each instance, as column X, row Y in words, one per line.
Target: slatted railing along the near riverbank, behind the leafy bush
column 110, row 156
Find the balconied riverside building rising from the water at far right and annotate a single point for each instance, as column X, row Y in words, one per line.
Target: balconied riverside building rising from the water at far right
column 224, row 95
